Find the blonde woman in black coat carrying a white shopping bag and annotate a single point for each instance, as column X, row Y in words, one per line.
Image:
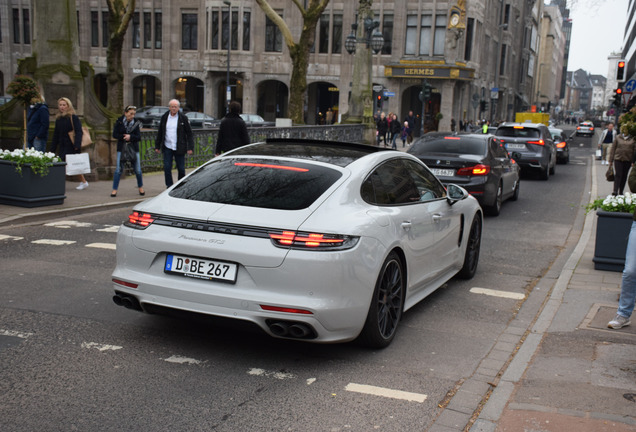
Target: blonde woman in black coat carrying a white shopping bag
column 65, row 122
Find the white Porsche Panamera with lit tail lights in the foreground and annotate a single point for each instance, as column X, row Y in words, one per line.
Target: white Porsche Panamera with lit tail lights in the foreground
column 312, row 240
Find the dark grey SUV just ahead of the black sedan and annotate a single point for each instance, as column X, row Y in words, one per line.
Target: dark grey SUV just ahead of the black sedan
column 533, row 144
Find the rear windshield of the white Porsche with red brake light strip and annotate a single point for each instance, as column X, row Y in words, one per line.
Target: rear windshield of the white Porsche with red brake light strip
column 256, row 182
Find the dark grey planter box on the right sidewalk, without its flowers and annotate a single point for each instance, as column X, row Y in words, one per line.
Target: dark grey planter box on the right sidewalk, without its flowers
column 612, row 232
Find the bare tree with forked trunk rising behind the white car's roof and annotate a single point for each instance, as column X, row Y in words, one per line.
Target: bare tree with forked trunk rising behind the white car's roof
column 298, row 51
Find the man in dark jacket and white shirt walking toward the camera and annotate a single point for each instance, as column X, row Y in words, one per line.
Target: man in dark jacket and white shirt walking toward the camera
column 174, row 139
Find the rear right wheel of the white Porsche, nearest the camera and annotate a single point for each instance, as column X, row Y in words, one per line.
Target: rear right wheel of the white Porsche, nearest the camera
column 387, row 304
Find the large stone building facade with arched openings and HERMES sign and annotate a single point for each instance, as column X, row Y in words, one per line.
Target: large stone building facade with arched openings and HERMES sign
column 482, row 64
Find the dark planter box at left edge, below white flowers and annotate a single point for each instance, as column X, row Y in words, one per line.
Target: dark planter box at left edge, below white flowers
column 29, row 189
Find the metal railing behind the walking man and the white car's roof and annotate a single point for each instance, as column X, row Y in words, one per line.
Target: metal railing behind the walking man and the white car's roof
column 205, row 141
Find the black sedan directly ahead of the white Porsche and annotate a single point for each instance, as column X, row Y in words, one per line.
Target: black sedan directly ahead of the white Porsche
column 477, row 162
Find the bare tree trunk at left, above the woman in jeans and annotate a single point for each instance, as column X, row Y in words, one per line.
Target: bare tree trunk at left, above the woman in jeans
column 119, row 14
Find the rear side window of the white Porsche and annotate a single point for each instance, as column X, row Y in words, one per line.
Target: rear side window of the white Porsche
column 390, row 184
